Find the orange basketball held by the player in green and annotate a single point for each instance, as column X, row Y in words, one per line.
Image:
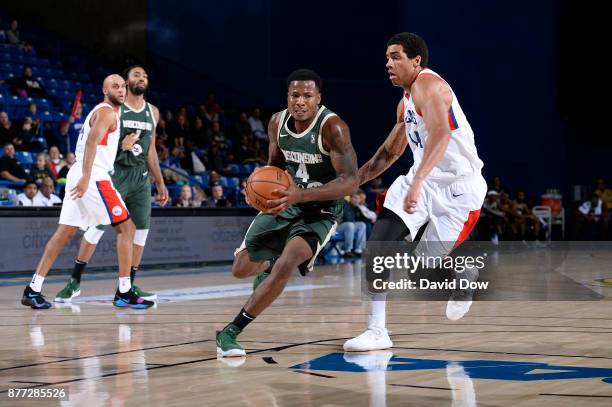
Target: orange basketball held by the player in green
column 262, row 182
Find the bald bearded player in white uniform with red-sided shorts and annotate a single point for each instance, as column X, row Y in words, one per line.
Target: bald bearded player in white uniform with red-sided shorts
column 91, row 198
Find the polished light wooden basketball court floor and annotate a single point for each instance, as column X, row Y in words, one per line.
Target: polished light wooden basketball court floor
column 500, row 354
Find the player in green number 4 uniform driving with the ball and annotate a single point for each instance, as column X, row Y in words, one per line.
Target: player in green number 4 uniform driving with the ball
column 314, row 146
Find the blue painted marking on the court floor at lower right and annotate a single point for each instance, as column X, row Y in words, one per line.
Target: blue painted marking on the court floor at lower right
column 475, row 369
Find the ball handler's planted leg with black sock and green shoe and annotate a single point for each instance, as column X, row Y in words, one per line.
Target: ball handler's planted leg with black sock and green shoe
column 297, row 251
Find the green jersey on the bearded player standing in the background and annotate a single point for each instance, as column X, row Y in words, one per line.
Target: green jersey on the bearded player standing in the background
column 141, row 122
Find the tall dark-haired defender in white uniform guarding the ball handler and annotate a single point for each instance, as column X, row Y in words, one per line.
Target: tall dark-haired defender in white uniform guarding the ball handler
column 444, row 187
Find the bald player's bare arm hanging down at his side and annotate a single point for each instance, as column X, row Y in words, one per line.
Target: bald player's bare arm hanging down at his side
column 103, row 121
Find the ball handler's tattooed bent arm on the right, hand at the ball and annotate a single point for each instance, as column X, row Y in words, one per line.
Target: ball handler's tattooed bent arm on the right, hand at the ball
column 337, row 140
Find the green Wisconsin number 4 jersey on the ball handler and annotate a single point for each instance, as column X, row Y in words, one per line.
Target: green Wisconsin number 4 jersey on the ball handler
column 305, row 157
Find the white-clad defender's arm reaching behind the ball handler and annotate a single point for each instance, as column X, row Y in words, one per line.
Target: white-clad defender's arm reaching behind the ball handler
column 392, row 149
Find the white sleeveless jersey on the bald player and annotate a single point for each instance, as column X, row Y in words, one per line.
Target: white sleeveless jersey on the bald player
column 106, row 150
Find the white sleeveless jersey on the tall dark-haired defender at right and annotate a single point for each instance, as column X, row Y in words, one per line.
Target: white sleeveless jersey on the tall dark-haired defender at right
column 460, row 158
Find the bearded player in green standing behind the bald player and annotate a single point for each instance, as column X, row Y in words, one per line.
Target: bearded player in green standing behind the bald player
column 136, row 159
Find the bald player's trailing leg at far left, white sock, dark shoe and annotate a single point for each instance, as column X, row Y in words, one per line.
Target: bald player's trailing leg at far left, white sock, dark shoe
column 32, row 294
